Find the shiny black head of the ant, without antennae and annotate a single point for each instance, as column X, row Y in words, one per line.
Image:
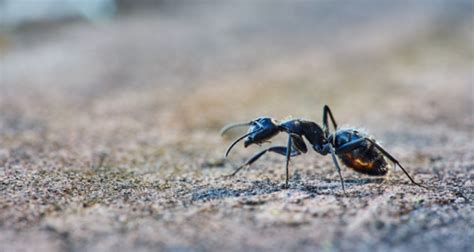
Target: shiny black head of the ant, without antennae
column 261, row 130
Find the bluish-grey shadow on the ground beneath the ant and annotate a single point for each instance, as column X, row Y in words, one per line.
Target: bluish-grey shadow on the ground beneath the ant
column 267, row 186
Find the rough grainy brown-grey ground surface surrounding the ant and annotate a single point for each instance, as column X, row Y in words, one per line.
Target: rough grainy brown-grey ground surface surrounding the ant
column 109, row 132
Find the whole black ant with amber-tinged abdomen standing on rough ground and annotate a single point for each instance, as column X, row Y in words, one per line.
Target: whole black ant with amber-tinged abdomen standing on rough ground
column 355, row 149
